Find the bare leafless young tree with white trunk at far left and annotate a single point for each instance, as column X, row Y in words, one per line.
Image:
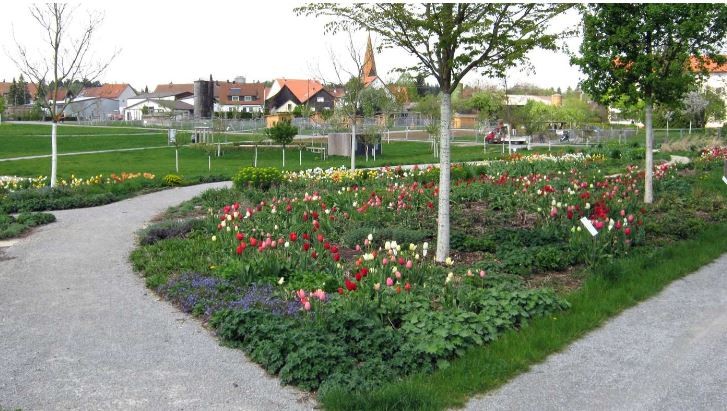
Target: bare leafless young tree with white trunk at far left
column 66, row 59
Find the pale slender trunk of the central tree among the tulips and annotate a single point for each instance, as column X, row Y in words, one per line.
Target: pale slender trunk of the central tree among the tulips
column 444, row 186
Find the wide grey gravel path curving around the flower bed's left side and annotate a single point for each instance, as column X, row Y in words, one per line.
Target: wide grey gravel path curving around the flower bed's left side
column 79, row 330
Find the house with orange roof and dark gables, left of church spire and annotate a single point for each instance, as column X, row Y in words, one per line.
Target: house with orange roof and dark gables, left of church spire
column 287, row 94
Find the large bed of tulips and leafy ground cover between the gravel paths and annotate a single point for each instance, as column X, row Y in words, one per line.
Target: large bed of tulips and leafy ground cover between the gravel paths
column 326, row 276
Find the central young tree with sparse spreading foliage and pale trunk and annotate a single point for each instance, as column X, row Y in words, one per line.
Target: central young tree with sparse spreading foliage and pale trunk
column 449, row 41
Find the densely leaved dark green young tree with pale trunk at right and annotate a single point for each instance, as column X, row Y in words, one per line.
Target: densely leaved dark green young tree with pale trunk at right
column 649, row 52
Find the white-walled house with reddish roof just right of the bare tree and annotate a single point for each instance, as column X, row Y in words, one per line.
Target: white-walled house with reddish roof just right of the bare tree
column 105, row 102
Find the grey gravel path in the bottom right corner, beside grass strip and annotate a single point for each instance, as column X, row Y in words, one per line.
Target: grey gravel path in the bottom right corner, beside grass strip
column 668, row 353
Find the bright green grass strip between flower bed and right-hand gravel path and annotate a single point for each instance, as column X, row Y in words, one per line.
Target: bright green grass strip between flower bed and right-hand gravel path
column 485, row 368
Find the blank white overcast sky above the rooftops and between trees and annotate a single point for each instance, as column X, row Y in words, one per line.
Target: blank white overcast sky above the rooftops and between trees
column 162, row 42
